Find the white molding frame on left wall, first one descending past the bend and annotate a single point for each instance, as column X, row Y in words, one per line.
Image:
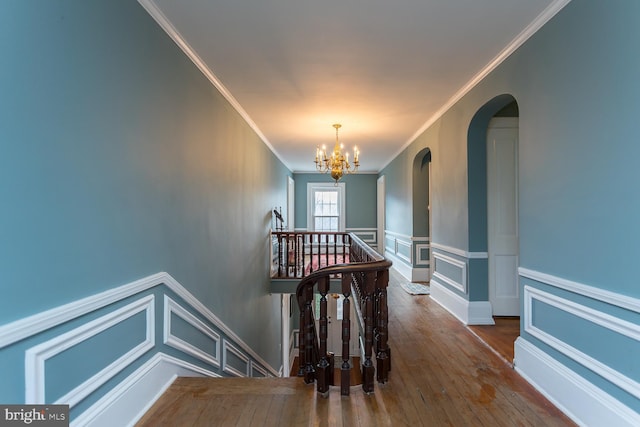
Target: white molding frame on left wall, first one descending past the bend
column 172, row 307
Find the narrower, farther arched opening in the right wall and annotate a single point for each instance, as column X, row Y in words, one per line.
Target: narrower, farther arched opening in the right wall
column 421, row 183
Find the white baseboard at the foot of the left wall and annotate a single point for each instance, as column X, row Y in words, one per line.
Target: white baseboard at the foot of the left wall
column 127, row 402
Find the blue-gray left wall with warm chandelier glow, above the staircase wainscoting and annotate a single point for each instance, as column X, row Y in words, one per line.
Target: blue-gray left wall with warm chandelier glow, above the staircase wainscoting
column 119, row 160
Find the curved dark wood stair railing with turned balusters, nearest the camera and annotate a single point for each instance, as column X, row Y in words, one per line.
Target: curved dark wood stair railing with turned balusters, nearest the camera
column 364, row 280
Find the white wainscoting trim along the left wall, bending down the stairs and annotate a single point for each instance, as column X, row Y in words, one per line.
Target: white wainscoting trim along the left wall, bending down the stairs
column 137, row 392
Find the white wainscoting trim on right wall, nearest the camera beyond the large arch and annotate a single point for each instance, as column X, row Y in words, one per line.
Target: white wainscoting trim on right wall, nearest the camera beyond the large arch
column 580, row 399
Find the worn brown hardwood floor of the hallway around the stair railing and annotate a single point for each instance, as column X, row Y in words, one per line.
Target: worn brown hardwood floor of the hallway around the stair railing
column 442, row 375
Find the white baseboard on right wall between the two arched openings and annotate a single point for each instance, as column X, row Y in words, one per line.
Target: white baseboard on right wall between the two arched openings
column 468, row 312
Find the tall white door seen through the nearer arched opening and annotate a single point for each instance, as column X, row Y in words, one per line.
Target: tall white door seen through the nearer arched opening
column 502, row 211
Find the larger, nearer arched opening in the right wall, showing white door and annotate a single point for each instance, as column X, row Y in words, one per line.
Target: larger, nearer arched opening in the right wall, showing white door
column 492, row 149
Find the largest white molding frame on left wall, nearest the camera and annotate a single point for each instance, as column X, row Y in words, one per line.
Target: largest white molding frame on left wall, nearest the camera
column 35, row 357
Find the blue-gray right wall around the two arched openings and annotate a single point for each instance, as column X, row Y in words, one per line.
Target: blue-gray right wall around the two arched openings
column 577, row 90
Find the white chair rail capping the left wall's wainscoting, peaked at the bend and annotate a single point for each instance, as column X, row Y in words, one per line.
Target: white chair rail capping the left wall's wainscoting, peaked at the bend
column 31, row 325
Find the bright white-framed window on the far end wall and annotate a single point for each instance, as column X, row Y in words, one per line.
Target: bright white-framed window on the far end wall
column 325, row 211
